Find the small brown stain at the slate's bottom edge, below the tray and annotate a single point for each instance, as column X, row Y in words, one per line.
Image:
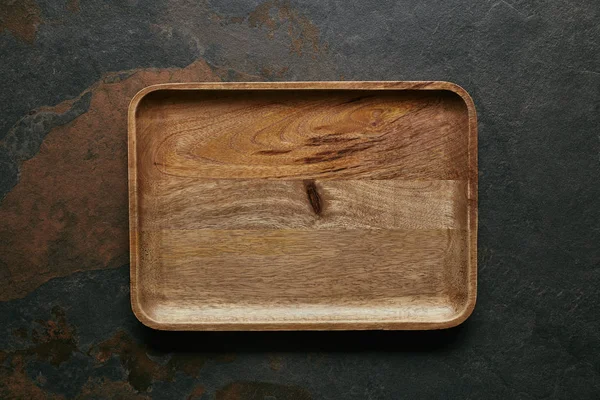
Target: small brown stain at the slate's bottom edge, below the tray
column 262, row 391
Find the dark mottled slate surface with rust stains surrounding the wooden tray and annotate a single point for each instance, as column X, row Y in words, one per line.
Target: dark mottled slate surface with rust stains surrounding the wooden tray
column 67, row 72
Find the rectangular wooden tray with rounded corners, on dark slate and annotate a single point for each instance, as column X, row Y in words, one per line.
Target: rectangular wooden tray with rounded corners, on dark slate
column 306, row 205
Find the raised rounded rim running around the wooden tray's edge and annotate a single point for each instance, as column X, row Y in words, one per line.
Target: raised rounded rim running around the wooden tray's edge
column 472, row 197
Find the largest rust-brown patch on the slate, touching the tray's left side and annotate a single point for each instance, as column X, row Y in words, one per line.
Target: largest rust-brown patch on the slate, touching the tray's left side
column 69, row 210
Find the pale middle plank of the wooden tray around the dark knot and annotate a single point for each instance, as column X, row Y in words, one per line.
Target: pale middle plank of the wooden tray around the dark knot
column 267, row 204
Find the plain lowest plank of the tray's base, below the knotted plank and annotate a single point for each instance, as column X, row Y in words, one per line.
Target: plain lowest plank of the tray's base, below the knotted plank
column 302, row 267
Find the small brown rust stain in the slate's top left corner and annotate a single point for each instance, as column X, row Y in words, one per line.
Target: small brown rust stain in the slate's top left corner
column 21, row 18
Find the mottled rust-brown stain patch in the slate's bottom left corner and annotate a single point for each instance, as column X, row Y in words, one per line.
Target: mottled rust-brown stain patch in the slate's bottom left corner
column 53, row 343
